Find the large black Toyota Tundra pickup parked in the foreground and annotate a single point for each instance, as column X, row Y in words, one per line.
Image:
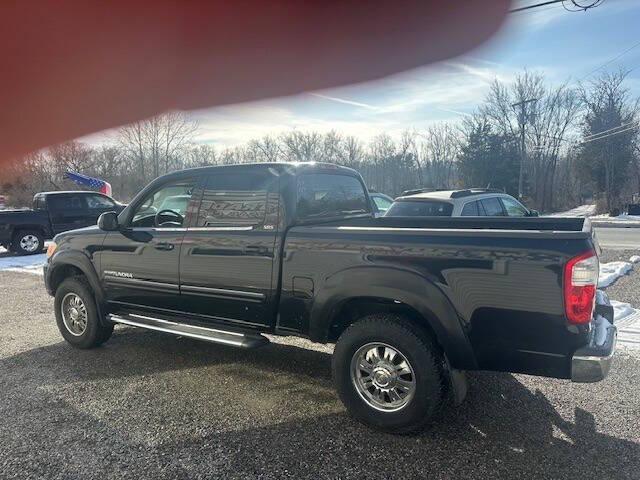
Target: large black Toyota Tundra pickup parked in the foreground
column 293, row 249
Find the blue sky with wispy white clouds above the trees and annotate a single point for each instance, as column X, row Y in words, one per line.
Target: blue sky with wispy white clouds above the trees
column 564, row 46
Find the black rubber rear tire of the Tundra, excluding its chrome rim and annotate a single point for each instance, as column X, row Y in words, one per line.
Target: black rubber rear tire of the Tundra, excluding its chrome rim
column 422, row 354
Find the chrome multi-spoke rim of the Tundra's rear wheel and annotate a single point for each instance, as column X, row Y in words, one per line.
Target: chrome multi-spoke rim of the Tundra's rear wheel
column 383, row 377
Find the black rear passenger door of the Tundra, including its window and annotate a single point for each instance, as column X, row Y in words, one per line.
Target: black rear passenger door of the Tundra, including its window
column 226, row 262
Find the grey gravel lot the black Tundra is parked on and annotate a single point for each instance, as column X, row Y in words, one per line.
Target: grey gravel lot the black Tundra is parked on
column 148, row 405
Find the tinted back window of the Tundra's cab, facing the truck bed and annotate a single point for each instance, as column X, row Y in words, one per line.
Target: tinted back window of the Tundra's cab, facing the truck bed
column 324, row 195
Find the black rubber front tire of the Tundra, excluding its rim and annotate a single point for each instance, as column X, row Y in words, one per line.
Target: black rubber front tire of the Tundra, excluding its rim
column 95, row 333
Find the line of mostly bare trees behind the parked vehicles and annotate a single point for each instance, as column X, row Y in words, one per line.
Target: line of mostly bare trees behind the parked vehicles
column 580, row 144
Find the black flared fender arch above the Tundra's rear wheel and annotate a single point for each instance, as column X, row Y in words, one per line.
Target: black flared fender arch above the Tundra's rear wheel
column 356, row 292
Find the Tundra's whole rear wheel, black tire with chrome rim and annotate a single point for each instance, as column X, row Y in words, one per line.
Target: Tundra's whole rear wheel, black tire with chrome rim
column 389, row 373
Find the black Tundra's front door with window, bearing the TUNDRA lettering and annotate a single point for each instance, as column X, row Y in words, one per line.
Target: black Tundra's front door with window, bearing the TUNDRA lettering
column 139, row 263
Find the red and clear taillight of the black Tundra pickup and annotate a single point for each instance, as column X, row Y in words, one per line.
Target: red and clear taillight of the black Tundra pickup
column 580, row 284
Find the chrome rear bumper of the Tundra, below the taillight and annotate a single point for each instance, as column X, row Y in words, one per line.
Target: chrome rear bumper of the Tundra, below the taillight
column 592, row 362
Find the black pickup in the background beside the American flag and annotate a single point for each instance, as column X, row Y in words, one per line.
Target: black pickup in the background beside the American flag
column 24, row 231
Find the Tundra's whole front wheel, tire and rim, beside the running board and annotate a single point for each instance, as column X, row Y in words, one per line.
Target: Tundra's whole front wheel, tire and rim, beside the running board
column 77, row 315
